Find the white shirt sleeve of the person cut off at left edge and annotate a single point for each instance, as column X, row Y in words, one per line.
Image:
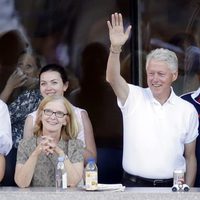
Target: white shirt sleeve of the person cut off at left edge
column 5, row 129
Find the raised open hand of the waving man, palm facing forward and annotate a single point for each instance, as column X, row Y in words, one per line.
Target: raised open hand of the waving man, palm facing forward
column 116, row 31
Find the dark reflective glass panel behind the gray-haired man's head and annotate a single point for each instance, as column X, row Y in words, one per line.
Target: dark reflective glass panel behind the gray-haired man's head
column 173, row 25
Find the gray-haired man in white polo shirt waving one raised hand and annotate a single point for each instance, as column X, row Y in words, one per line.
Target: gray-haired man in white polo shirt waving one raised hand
column 160, row 128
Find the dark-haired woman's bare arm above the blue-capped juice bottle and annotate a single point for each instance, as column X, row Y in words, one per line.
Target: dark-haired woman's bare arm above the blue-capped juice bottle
column 90, row 149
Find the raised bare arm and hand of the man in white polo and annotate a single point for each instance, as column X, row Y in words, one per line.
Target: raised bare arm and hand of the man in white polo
column 117, row 38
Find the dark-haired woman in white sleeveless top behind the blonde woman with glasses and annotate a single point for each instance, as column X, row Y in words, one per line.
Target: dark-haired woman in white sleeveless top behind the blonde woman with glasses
column 54, row 81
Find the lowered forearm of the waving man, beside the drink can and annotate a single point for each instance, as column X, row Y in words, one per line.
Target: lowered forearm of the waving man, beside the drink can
column 191, row 163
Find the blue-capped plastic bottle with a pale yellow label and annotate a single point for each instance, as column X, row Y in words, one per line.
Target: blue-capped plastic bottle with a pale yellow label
column 91, row 175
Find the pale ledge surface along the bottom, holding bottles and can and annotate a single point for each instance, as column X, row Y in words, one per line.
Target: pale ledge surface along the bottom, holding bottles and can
column 15, row 193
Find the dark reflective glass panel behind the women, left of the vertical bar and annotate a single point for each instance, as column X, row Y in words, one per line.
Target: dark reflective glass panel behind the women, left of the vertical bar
column 59, row 32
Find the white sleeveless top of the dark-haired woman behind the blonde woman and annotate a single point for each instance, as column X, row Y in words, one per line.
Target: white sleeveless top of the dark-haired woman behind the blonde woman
column 77, row 112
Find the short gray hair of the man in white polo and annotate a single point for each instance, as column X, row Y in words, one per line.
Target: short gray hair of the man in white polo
column 165, row 55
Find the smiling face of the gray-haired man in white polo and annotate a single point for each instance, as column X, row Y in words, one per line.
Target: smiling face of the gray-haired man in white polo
column 159, row 79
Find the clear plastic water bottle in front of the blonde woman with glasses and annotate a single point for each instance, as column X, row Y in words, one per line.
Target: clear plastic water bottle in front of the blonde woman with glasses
column 61, row 174
